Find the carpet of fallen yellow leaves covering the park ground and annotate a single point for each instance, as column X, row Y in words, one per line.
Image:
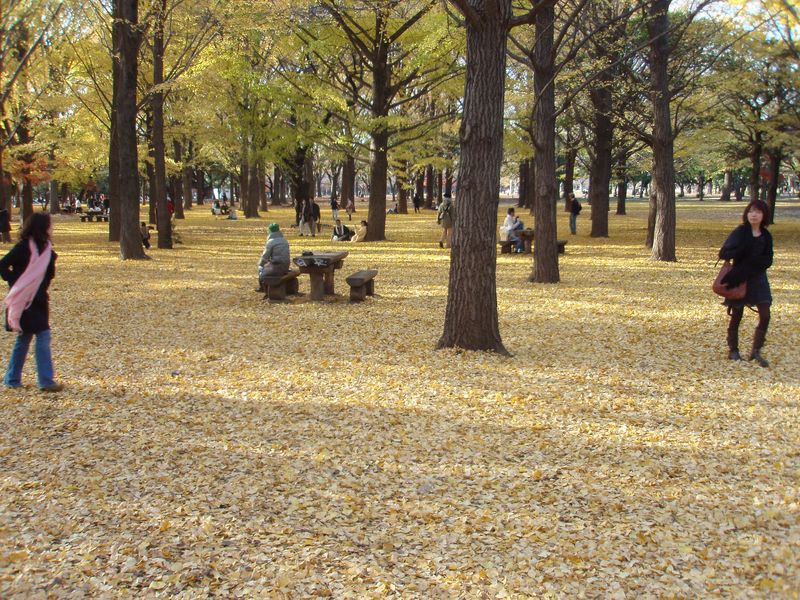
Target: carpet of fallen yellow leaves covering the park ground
column 211, row 443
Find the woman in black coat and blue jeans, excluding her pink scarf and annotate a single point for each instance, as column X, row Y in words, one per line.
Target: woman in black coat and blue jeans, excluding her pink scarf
column 35, row 319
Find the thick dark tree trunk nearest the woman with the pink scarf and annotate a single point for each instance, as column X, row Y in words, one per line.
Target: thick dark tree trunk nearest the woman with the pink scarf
column 130, row 242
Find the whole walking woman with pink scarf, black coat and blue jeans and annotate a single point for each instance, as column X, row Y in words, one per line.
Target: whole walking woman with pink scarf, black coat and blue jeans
column 29, row 268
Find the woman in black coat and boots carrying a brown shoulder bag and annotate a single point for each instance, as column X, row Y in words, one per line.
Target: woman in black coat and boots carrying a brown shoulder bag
column 750, row 248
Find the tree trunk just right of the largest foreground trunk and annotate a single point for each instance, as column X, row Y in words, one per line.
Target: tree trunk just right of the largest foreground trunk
column 545, row 254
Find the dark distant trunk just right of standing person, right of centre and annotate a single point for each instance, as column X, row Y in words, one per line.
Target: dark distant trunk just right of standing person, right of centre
column 600, row 175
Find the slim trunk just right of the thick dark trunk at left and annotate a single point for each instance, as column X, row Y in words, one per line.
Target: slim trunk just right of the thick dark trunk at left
column 159, row 150
